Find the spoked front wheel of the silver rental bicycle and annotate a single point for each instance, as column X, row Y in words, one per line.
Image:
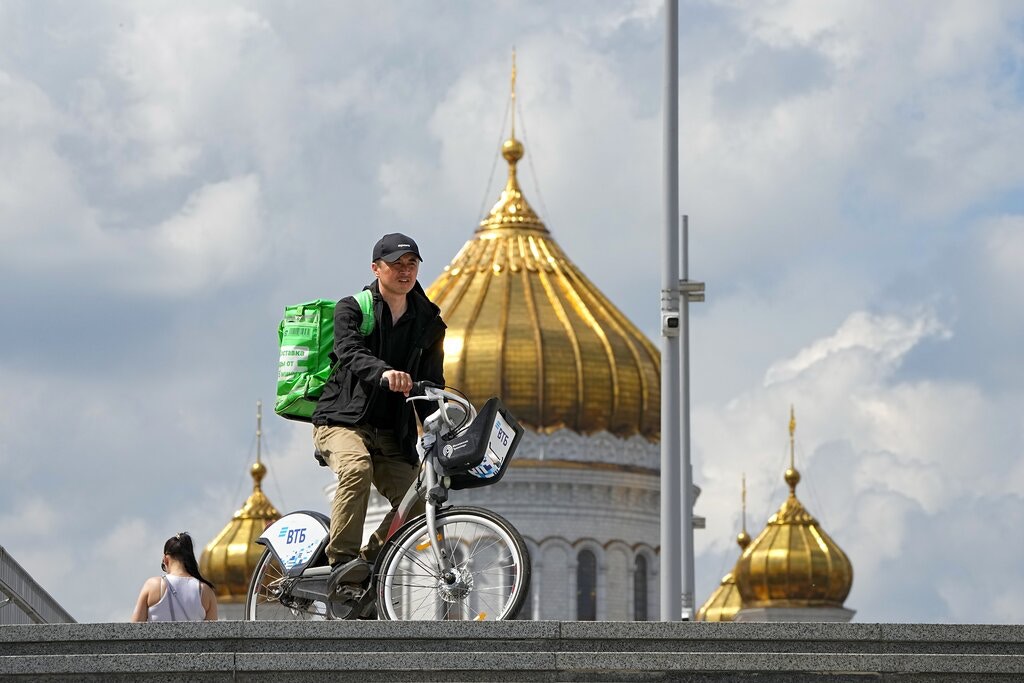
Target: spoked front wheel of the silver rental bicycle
column 489, row 581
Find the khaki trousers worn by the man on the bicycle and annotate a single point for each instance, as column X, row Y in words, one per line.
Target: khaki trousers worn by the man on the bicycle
column 361, row 456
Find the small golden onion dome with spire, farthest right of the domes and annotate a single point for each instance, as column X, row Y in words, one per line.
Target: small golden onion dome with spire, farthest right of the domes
column 793, row 563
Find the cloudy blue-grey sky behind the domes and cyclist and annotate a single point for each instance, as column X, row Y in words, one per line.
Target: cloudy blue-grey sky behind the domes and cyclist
column 173, row 175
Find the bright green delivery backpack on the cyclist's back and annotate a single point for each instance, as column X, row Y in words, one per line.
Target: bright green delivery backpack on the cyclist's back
column 307, row 337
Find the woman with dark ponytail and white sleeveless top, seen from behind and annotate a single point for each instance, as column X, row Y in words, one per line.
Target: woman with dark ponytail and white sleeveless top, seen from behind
column 182, row 594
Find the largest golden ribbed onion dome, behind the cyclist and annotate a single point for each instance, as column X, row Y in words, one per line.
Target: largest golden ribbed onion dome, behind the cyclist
column 526, row 325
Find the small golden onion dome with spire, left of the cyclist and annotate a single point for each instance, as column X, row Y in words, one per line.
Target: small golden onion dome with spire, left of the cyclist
column 229, row 561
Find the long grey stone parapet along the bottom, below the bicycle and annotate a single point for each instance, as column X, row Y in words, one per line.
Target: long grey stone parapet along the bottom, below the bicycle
column 513, row 651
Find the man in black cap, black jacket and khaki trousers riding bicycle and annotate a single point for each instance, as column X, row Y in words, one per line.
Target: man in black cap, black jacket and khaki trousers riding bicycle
column 367, row 434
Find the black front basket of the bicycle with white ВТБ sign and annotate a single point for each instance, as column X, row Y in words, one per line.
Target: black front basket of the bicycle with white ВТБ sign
column 481, row 456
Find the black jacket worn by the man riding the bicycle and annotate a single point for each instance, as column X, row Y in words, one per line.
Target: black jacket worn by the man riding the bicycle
column 348, row 395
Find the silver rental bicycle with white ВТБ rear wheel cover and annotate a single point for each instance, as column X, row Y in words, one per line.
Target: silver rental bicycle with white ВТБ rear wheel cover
column 452, row 563
